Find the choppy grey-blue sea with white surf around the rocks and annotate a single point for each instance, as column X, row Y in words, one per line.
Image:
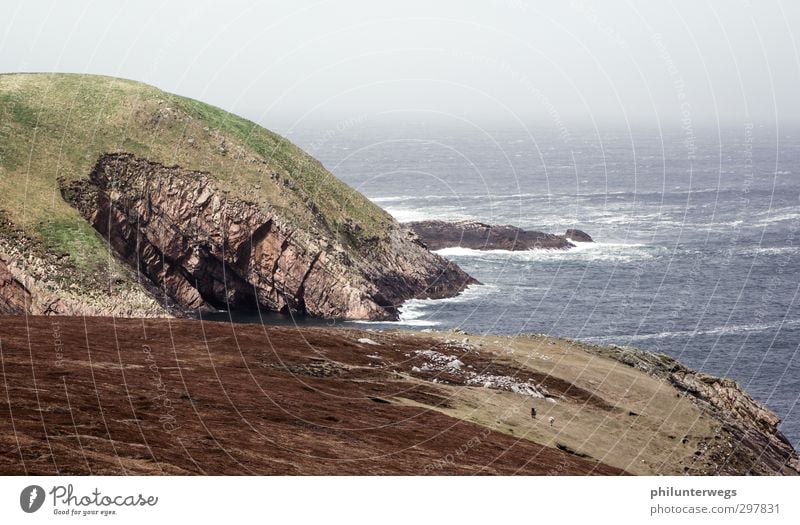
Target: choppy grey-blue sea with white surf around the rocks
column 697, row 231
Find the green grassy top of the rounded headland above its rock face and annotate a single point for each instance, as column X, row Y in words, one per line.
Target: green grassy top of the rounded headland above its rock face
column 57, row 125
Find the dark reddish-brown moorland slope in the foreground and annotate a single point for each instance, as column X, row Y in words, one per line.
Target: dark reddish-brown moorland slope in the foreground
column 178, row 397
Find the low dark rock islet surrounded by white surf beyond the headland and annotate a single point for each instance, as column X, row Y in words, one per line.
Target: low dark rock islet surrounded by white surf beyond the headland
column 437, row 235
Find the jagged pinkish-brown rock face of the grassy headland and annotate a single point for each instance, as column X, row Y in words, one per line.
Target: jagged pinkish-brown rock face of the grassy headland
column 204, row 249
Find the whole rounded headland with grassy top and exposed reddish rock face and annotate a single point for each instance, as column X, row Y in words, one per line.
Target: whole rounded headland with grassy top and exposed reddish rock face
column 143, row 203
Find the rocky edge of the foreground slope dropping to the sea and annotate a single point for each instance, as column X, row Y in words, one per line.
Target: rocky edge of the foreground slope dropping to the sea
column 756, row 446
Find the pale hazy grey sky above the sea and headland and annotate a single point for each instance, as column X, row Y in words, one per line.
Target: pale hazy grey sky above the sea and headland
column 534, row 61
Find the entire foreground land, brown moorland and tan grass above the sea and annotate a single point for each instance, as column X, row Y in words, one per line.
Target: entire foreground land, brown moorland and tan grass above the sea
column 169, row 396
